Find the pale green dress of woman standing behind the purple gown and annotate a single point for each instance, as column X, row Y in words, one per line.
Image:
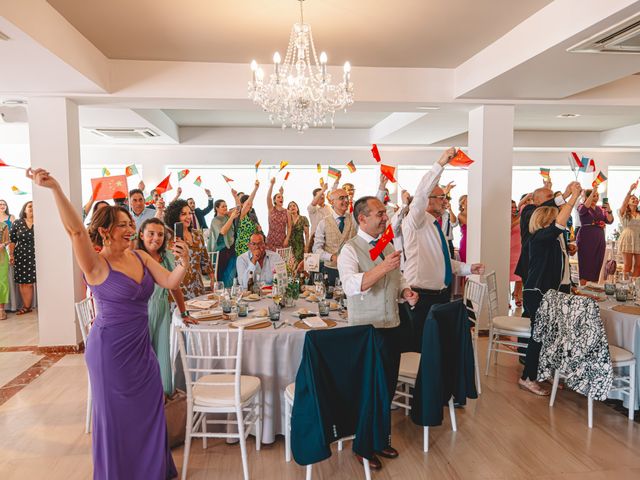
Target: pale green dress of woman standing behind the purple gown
column 160, row 325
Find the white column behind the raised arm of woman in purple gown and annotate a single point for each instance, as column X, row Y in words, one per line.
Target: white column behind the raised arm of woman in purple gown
column 55, row 145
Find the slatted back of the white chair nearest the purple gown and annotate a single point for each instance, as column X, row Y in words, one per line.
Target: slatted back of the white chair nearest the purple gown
column 206, row 351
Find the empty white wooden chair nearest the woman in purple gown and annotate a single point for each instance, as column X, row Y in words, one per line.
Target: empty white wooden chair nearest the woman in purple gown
column 212, row 360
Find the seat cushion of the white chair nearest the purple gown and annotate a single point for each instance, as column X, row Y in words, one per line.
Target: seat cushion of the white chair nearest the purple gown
column 223, row 395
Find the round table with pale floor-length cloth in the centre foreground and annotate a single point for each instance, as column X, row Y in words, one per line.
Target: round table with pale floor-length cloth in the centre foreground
column 273, row 355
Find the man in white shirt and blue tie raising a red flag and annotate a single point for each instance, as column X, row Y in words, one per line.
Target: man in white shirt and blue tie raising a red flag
column 429, row 268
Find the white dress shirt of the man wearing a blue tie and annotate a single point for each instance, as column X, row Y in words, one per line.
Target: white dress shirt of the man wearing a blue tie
column 424, row 267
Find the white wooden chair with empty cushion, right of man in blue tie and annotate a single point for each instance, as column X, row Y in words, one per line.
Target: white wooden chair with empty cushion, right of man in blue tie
column 503, row 326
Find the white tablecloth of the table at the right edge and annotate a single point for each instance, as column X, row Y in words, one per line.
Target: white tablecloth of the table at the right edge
column 623, row 330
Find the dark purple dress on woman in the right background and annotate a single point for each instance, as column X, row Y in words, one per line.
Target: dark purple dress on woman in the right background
column 591, row 242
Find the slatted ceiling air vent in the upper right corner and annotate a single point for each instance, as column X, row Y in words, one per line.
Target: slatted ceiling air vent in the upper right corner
column 621, row 38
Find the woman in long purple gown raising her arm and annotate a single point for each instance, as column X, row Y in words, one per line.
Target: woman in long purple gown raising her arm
column 129, row 426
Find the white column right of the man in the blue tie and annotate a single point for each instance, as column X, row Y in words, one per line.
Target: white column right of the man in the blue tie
column 489, row 197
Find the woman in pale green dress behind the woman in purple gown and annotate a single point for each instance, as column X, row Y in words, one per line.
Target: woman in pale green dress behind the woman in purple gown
column 153, row 239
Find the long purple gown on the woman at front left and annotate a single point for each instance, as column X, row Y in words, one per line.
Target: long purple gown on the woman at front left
column 129, row 425
